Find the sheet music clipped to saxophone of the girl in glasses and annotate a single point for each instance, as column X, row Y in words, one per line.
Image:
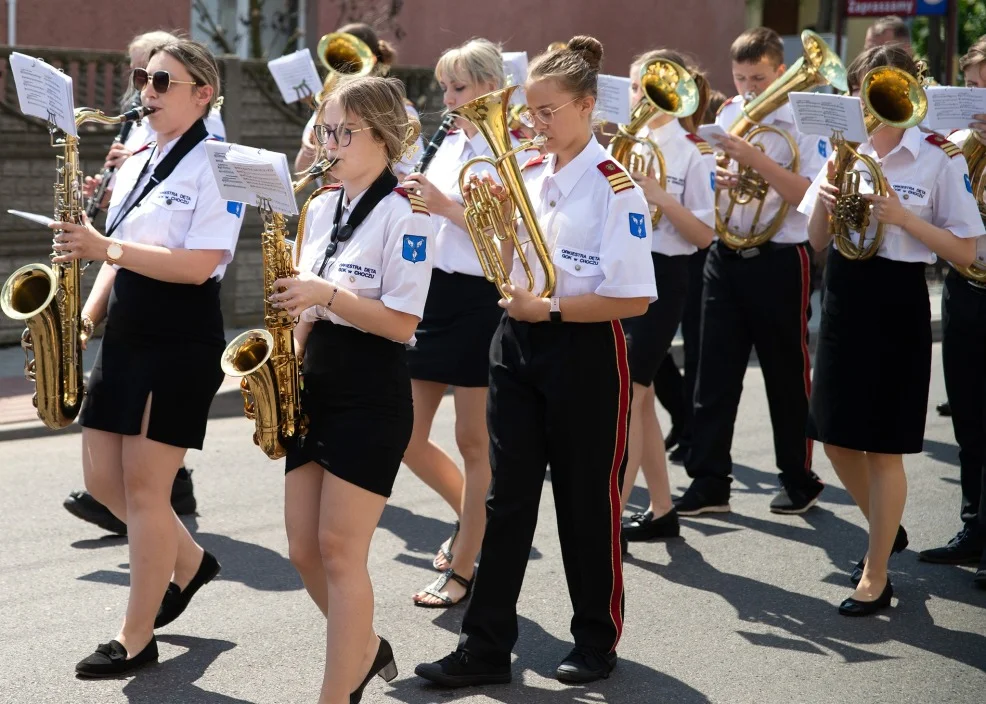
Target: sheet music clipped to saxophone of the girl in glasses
column 252, row 176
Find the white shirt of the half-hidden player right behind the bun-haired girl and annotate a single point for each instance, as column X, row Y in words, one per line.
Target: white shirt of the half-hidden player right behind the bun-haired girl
column 690, row 166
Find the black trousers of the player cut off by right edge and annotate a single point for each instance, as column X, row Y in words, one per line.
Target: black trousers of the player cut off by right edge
column 964, row 363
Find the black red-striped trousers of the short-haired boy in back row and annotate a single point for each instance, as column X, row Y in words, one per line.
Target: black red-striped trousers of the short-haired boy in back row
column 760, row 302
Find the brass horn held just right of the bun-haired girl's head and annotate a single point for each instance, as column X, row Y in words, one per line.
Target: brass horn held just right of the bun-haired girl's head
column 667, row 88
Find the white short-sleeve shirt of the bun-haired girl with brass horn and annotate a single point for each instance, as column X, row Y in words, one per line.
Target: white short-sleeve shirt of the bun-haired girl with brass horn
column 598, row 233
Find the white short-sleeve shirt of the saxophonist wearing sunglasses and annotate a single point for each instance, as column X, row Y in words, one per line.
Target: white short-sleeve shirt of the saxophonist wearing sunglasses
column 184, row 211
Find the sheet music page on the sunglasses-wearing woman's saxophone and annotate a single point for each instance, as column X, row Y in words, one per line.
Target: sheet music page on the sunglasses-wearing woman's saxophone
column 44, row 91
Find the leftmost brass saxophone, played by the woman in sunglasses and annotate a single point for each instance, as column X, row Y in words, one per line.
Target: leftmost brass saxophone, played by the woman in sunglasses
column 49, row 299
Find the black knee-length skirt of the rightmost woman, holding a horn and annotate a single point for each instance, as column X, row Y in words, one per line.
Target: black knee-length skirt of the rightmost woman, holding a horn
column 873, row 362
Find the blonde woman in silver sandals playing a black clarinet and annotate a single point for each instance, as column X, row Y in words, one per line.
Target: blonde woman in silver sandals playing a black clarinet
column 453, row 340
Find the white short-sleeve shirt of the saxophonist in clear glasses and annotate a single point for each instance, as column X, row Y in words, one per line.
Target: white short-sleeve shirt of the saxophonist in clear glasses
column 388, row 258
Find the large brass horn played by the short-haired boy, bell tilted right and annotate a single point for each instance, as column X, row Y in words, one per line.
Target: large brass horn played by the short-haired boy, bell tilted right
column 819, row 66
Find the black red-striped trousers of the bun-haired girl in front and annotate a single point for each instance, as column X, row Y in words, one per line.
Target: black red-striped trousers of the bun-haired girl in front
column 559, row 395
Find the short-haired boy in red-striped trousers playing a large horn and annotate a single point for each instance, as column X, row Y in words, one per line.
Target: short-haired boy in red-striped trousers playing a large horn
column 757, row 297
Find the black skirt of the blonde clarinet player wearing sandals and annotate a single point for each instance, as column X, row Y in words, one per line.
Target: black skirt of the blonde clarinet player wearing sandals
column 453, row 338
